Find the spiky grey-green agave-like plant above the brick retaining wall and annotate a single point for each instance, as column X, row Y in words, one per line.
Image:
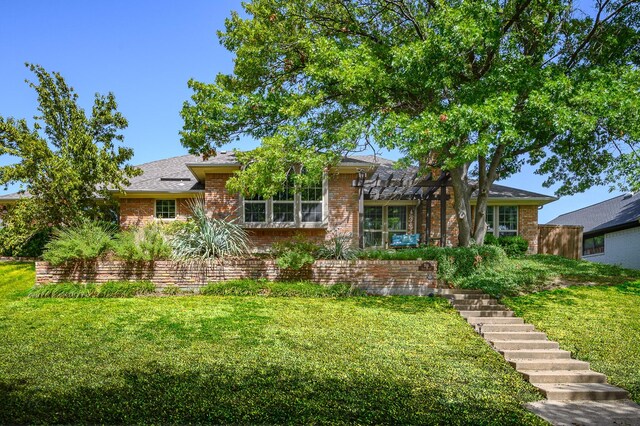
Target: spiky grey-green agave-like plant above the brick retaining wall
column 205, row 238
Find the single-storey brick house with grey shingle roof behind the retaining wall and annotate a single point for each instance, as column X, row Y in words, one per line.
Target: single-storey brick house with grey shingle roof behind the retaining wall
column 364, row 196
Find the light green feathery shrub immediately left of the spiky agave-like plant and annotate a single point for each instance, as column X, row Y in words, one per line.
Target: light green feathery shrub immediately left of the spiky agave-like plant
column 142, row 245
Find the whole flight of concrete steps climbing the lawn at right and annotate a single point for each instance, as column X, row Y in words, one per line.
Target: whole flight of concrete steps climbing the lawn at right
column 540, row 361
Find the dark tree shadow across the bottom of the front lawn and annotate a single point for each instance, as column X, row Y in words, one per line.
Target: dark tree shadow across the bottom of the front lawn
column 153, row 394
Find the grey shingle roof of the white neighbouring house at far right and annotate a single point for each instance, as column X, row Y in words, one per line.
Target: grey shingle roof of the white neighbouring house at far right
column 617, row 212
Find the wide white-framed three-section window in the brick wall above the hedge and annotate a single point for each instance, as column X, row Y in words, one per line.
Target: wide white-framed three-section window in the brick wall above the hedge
column 287, row 206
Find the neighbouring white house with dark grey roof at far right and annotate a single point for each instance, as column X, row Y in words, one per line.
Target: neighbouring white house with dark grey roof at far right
column 611, row 230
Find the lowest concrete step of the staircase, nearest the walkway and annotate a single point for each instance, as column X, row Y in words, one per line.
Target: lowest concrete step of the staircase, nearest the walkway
column 581, row 391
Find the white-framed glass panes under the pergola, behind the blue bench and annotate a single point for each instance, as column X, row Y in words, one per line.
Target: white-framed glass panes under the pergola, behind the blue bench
column 382, row 222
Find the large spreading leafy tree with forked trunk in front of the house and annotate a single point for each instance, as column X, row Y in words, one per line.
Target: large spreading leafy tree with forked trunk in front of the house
column 477, row 88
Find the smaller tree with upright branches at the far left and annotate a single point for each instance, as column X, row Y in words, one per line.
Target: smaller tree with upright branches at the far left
column 66, row 162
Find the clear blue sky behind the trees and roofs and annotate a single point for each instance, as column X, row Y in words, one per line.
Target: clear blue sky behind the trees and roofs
column 145, row 52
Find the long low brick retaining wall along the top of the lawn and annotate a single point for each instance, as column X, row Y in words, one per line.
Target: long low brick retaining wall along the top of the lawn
column 375, row 276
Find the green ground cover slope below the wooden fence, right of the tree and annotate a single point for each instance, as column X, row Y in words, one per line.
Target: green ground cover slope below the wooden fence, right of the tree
column 528, row 274
